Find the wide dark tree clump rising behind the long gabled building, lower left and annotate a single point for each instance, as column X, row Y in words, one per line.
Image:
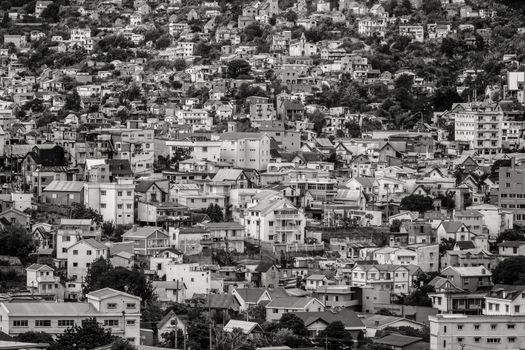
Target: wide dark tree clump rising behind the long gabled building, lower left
column 101, row 274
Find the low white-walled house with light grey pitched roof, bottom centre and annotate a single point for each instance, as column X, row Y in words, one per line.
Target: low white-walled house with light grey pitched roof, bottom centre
column 279, row 306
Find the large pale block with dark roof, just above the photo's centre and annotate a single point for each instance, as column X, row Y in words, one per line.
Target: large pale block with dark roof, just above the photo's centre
column 245, row 150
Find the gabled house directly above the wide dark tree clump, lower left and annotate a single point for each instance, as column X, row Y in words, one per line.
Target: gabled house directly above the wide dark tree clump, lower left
column 148, row 240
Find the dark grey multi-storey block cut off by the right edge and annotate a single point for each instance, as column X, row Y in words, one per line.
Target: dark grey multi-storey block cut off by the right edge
column 512, row 190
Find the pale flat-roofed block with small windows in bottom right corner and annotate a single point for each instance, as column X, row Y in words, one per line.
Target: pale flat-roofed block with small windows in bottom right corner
column 470, row 332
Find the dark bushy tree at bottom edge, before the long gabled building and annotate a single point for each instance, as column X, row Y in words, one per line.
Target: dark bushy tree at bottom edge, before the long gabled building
column 87, row 336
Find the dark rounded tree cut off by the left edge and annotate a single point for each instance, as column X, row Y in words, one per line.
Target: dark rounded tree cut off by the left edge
column 16, row 241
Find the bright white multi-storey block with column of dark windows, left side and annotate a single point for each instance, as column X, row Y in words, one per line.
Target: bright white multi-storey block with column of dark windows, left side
column 114, row 200
